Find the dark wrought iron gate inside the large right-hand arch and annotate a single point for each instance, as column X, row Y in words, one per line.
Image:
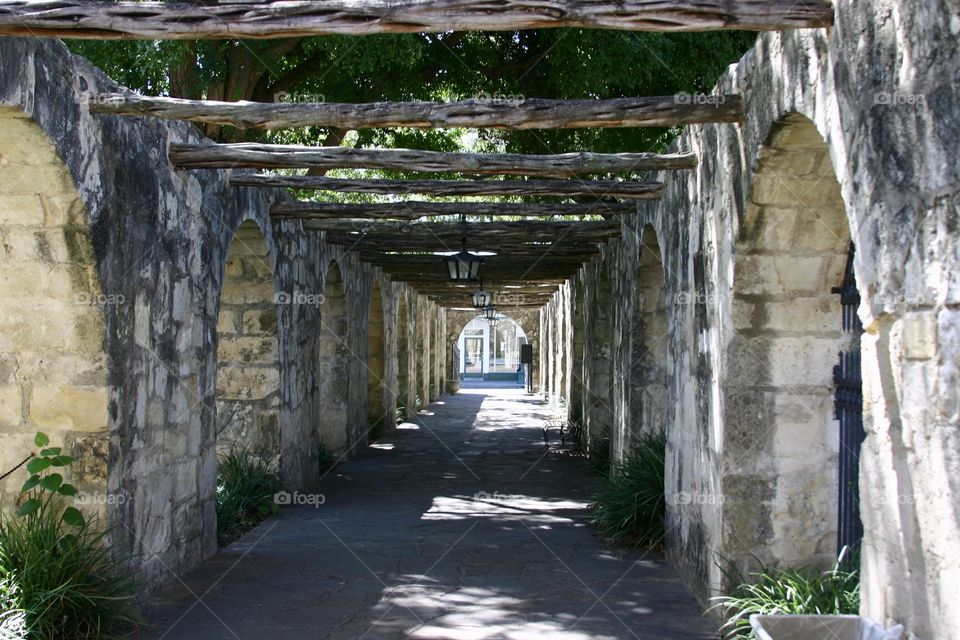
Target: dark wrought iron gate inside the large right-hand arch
column 848, row 408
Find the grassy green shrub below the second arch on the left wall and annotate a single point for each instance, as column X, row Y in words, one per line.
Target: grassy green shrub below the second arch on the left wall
column 246, row 484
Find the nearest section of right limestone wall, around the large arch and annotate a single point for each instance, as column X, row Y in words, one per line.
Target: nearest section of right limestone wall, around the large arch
column 756, row 233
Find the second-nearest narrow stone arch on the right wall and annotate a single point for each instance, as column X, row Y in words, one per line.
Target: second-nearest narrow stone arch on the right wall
column 648, row 343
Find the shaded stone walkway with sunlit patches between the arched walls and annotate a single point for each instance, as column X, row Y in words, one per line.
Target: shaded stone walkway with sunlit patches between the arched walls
column 457, row 526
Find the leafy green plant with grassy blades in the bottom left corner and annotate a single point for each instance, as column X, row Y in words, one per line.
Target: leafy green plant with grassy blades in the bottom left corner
column 57, row 577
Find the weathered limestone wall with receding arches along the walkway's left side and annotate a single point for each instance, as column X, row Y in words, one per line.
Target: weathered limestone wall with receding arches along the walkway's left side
column 110, row 305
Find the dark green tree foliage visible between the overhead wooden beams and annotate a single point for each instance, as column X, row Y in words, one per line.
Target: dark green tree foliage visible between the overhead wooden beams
column 544, row 63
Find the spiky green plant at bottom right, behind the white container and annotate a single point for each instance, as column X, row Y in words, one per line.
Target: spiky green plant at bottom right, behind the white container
column 789, row 591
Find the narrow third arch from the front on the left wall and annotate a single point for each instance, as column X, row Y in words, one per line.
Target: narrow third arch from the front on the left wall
column 334, row 365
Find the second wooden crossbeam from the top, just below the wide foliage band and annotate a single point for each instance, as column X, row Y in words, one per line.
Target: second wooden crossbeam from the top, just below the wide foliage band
column 532, row 113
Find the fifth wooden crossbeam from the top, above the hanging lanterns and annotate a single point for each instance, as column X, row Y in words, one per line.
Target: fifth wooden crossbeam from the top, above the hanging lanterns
column 413, row 210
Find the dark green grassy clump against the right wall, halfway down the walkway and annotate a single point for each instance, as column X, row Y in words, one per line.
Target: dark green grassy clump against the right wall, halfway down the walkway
column 629, row 505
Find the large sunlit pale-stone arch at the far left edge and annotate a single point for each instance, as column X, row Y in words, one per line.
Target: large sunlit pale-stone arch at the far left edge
column 53, row 367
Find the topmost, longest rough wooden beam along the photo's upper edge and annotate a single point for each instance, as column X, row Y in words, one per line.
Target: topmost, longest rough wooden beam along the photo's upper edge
column 233, row 20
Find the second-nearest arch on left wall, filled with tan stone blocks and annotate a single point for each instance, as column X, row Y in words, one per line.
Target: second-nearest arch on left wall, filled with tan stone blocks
column 248, row 379
